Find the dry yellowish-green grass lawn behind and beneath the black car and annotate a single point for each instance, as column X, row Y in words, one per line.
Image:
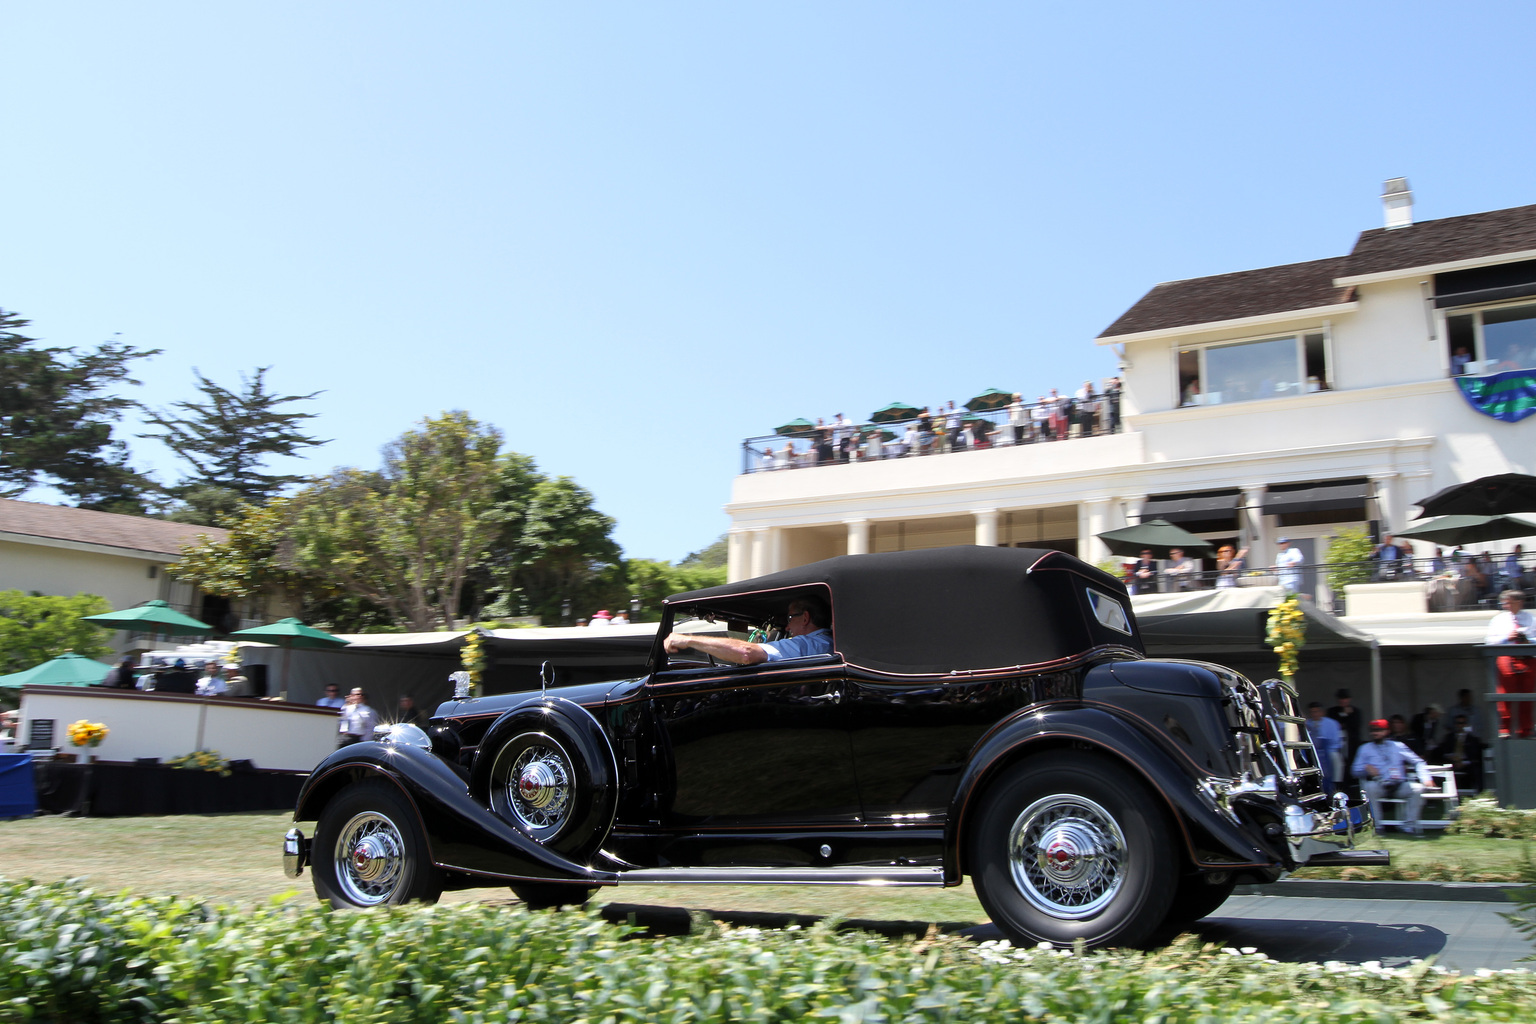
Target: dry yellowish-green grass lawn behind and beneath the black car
column 237, row 859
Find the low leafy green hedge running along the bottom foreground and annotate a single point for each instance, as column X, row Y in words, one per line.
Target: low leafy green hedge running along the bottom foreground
column 81, row 957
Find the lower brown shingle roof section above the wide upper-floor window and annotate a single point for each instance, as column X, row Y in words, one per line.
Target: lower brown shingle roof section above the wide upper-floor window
column 1234, row 297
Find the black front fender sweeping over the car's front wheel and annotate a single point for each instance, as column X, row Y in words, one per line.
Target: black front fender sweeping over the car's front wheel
column 462, row 833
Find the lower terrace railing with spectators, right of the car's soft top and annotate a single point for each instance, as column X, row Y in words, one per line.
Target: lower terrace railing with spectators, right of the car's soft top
column 1452, row 584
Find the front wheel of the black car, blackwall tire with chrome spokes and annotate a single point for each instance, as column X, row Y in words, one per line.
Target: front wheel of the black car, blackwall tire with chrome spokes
column 369, row 851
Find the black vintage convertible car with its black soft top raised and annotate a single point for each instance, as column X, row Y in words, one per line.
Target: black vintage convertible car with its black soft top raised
column 985, row 713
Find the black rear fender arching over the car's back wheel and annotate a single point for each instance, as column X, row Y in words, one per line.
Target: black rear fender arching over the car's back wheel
column 1210, row 837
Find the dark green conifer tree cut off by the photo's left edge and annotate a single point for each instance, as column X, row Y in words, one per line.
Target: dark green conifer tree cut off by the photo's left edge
column 56, row 421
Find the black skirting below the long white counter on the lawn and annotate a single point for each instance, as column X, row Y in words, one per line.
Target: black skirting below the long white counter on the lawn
column 113, row 790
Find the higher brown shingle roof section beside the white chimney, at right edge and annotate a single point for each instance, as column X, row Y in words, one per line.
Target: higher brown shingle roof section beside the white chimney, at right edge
column 1448, row 240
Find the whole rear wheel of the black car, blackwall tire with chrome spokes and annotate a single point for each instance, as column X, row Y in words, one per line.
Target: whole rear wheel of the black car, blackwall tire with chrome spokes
column 1070, row 848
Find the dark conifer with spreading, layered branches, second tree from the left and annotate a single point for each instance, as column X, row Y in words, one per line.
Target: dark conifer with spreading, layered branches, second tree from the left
column 230, row 435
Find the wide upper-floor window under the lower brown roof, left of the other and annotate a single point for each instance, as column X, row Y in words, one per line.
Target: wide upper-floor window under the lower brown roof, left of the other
column 1250, row 371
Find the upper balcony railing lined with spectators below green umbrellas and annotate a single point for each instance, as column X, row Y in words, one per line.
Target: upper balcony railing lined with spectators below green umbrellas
column 872, row 443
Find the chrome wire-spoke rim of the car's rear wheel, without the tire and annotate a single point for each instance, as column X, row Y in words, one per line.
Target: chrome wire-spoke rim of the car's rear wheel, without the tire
column 1067, row 856
